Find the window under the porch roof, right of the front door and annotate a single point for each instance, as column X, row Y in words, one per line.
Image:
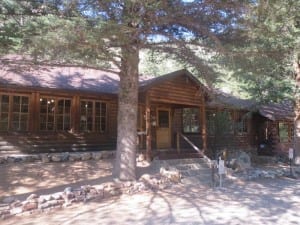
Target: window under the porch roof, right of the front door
column 190, row 120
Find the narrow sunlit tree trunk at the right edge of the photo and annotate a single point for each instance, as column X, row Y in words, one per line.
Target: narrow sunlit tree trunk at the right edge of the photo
column 297, row 116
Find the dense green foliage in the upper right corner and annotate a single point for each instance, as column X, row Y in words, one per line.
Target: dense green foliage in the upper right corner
column 262, row 56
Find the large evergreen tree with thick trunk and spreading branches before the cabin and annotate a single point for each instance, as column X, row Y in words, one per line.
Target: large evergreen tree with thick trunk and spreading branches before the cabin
column 110, row 34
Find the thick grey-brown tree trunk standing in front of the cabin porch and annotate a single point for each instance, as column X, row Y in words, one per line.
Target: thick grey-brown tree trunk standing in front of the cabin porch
column 125, row 164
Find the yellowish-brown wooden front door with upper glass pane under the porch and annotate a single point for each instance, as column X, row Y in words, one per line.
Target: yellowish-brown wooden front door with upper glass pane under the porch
column 163, row 130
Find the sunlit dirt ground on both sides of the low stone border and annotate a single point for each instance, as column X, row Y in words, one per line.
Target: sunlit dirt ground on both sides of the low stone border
column 263, row 201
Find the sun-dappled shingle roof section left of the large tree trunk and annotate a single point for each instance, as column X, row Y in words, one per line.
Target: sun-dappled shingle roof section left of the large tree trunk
column 57, row 77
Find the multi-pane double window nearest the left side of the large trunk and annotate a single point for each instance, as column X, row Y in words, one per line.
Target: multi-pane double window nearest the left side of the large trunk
column 93, row 116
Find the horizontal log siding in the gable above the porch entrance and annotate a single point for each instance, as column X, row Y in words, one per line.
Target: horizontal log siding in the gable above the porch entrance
column 176, row 91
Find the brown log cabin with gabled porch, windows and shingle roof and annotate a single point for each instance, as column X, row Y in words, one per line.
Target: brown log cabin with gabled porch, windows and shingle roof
column 52, row 108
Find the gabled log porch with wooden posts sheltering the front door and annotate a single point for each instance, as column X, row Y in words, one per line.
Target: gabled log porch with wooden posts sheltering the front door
column 172, row 116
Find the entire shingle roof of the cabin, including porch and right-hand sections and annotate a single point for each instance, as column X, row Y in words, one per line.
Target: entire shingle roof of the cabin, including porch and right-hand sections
column 16, row 72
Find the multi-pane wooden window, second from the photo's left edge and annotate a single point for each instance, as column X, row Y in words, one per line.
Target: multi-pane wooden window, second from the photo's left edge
column 20, row 113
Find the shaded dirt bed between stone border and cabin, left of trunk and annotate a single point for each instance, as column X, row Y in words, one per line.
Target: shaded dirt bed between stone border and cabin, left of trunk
column 21, row 179
